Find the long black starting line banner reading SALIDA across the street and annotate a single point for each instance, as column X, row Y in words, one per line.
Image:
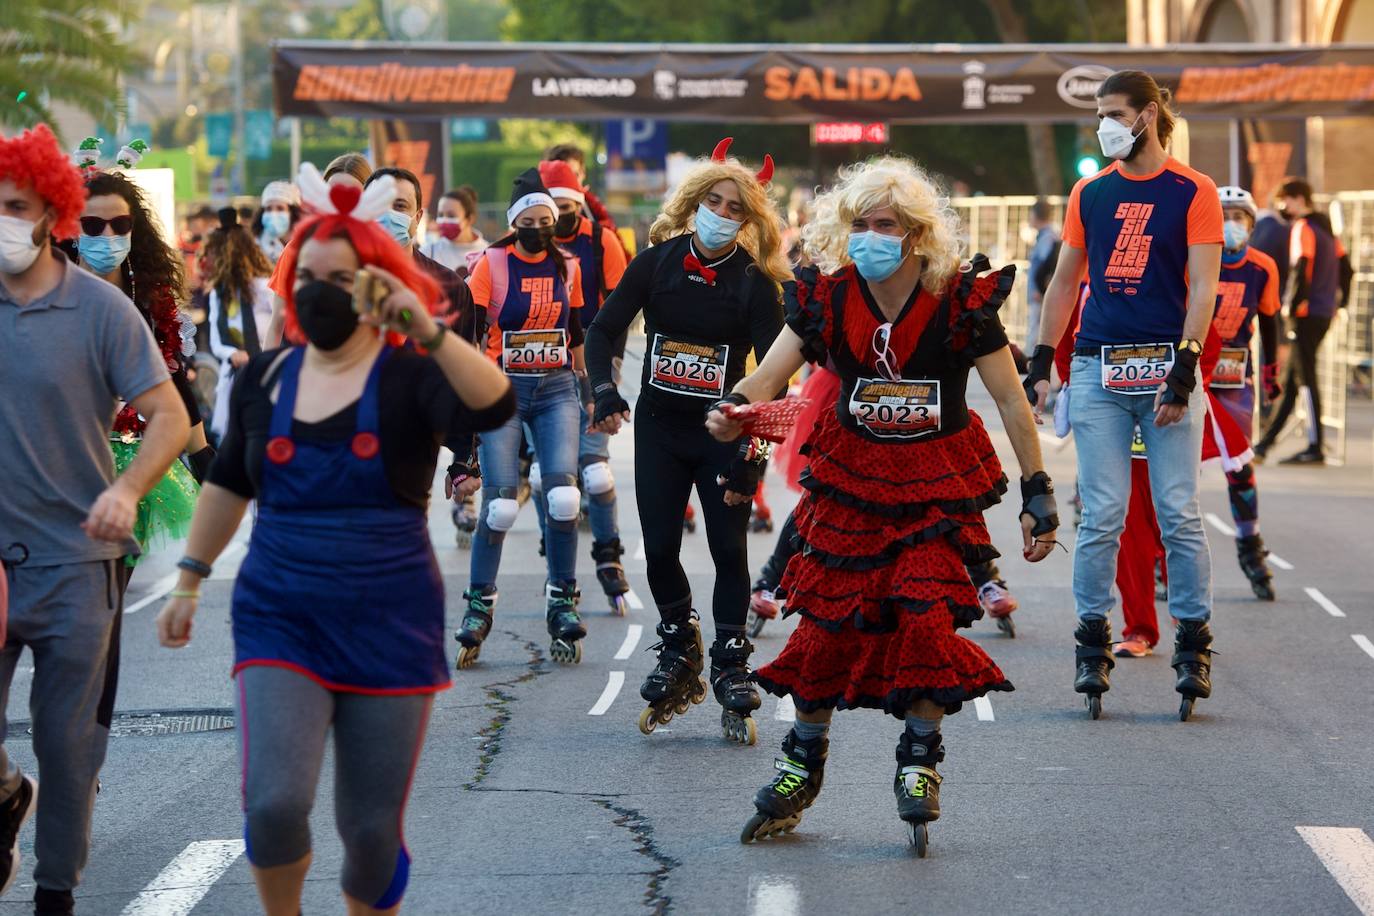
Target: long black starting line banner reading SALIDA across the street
column 806, row 83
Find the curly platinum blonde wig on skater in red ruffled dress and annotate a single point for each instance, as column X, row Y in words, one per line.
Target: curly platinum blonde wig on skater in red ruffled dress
column 887, row 182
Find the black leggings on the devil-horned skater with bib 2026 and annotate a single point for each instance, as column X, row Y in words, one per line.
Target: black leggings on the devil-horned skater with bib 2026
column 673, row 453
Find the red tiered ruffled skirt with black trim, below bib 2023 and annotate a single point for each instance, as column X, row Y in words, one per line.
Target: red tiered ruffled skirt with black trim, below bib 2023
column 880, row 582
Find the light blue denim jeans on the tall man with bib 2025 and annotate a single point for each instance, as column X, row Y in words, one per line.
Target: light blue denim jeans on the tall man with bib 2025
column 1104, row 424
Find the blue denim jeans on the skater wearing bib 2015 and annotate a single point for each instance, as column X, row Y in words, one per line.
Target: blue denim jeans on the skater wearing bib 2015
column 549, row 407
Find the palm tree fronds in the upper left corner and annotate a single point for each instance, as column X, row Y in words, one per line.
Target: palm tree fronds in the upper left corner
column 67, row 51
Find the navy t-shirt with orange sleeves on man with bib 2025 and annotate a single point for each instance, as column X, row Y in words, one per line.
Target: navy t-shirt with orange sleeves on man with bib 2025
column 1137, row 231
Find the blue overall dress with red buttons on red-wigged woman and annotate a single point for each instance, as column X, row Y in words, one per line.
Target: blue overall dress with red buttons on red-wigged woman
column 340, row 583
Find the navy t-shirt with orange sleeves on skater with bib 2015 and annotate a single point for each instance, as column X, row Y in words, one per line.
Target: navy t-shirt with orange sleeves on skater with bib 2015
column 537, row 299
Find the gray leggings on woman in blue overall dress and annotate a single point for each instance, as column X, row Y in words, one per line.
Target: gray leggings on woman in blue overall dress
column 284, row 722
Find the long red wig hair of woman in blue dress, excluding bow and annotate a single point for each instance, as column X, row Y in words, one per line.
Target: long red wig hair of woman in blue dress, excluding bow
column 373, row 245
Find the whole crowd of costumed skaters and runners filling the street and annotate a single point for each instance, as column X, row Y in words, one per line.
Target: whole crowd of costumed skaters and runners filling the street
column 351, row 355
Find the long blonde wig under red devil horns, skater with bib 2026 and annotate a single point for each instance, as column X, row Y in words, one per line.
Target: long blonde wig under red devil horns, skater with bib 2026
column 762, row 234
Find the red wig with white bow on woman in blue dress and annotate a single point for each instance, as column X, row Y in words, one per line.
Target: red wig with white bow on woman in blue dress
column 351, row 215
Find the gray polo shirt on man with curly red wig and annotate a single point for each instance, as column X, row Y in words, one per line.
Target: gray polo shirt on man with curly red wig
column 65, row 363
